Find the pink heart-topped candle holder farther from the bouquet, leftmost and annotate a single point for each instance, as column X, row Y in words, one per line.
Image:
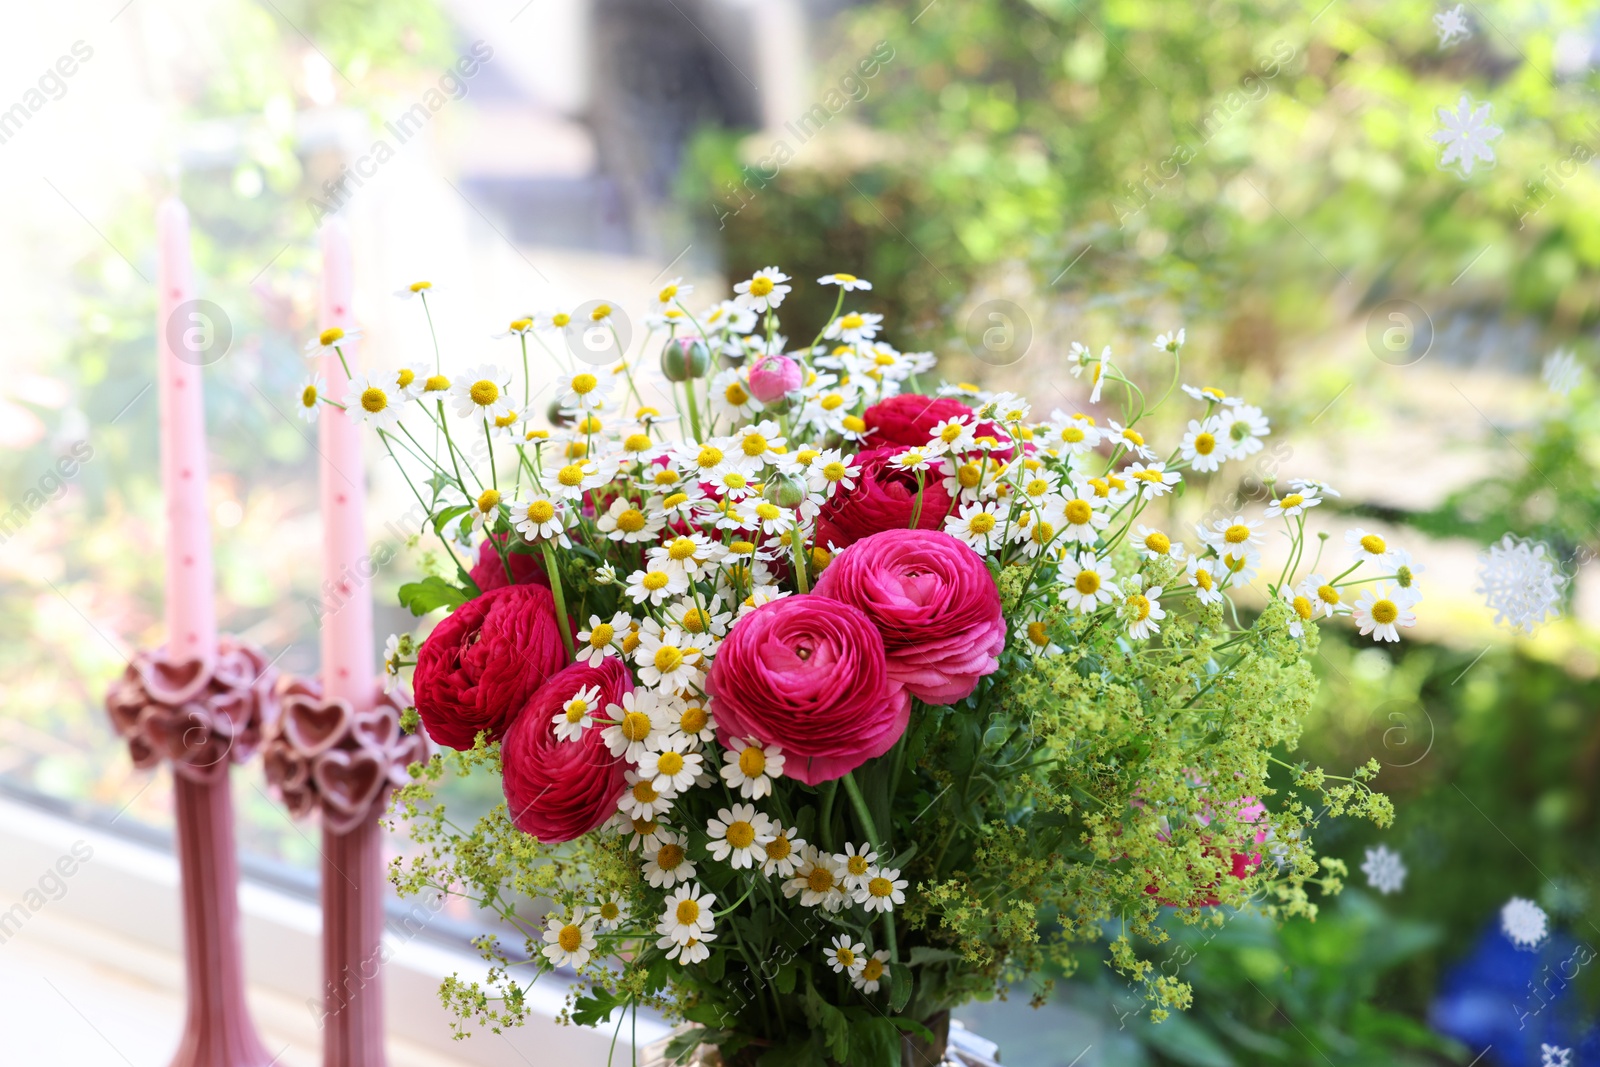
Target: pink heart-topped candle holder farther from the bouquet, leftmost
column 204, row 716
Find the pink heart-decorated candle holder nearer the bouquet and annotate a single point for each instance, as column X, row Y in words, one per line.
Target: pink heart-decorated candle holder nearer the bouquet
column 340, row 762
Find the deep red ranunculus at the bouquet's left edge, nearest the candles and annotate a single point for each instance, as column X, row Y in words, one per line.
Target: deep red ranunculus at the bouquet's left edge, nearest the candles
column 484, row 661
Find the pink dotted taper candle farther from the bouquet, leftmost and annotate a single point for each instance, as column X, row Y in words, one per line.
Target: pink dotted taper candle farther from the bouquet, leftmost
column 191, row 617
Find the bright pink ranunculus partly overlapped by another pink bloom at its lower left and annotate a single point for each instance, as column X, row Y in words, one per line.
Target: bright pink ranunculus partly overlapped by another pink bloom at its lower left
column 935, row 604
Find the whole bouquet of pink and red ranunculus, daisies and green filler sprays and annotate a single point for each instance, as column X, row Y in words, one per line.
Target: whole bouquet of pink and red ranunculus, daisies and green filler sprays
column 822, row 703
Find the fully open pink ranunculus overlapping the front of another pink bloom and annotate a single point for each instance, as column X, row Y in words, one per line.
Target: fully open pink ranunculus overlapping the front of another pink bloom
column 809, row 674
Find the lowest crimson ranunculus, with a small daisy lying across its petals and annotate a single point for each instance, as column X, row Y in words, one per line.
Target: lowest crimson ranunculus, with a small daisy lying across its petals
column 562, row 789
